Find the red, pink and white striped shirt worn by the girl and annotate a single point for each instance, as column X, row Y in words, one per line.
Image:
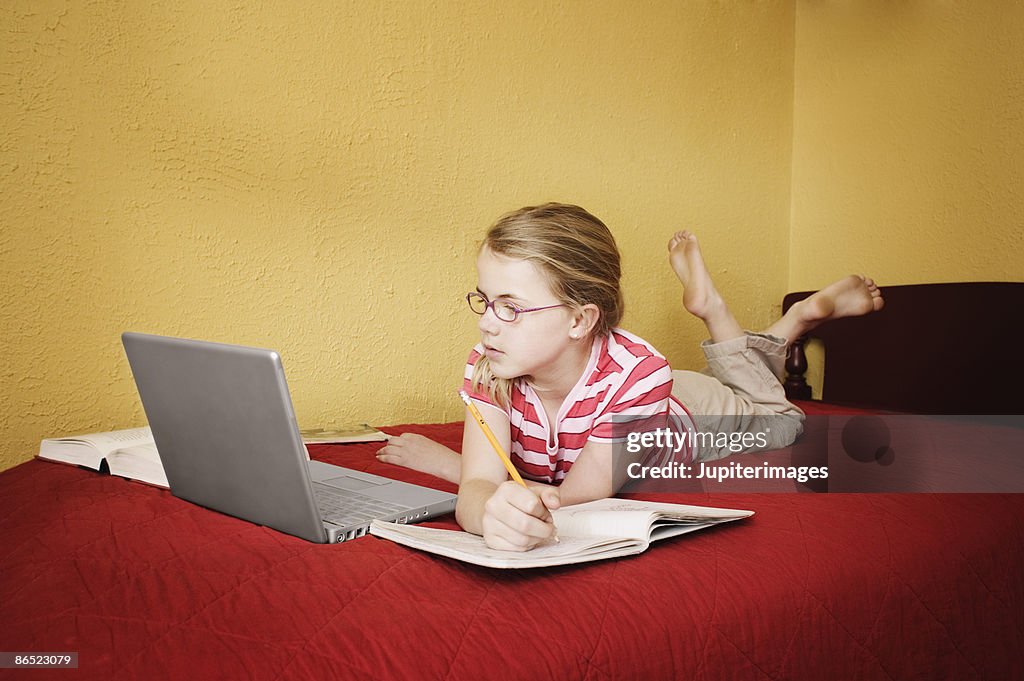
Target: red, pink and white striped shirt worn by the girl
column 625, row 379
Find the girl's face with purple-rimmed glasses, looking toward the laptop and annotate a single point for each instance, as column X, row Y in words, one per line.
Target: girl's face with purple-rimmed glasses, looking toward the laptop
column 534, row 345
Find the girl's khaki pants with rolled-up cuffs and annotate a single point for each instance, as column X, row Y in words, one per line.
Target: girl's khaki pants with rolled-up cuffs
column 740, row 393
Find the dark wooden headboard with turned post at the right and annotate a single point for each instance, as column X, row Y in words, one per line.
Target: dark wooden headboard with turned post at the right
column 934, row 349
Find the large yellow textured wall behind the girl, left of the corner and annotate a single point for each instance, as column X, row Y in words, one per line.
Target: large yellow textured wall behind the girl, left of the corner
column 315, row 178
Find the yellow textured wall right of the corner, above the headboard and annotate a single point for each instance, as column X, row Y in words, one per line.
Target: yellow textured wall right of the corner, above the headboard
column 909, row 143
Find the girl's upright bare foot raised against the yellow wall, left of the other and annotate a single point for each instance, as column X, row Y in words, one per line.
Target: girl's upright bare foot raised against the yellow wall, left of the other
column 701, row 299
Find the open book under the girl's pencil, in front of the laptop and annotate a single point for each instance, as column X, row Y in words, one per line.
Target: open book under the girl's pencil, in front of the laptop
column 595, row 531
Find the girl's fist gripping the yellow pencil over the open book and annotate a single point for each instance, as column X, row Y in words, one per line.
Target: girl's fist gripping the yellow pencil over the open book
column 518, row 520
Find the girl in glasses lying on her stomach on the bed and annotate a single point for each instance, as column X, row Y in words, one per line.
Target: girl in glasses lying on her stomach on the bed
column 552, row 370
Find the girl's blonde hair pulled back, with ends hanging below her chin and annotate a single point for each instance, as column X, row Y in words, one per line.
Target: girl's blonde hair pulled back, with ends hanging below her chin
column 578, row 254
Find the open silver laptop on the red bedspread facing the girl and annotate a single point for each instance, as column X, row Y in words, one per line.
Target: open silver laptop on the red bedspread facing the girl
column 224, row 423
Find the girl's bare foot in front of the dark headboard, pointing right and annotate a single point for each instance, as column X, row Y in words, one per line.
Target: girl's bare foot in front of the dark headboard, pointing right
column 851, row 296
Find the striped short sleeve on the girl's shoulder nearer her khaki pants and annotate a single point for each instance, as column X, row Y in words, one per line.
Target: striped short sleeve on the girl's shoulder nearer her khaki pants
column 643, row 397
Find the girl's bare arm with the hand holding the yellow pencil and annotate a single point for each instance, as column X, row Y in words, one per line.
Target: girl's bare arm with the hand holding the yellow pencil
column 505, row 514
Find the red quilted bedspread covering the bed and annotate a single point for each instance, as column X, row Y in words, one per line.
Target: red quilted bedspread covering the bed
column 854, row 586
